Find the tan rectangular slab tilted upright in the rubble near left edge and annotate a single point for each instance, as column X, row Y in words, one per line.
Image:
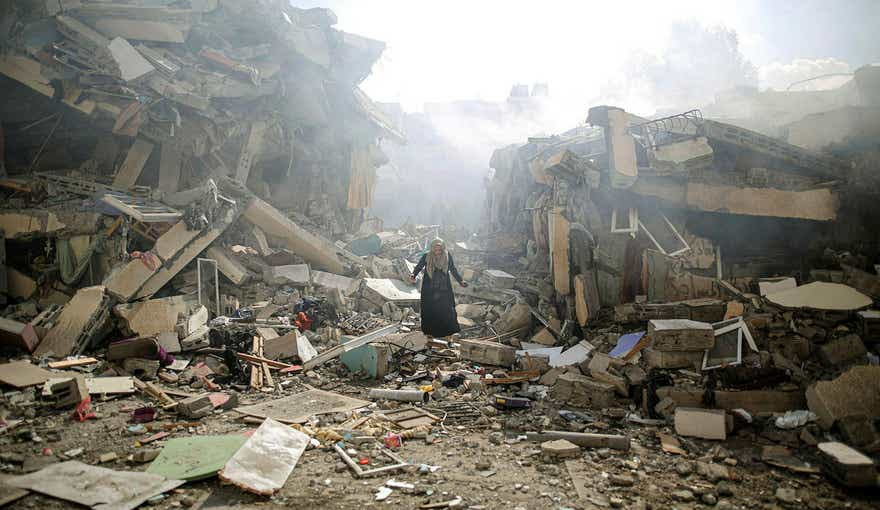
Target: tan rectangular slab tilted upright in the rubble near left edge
column 81, row 320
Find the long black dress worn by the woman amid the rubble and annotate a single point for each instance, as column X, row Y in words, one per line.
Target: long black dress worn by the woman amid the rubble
column 438, row 303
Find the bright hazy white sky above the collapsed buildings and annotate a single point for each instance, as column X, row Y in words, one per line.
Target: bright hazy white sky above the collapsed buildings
column 455, row 49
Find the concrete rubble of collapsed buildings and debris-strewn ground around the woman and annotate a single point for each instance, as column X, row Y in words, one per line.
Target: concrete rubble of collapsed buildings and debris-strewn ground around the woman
column 194, row 290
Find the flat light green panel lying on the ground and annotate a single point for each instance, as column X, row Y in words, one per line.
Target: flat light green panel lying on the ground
column 196, row 457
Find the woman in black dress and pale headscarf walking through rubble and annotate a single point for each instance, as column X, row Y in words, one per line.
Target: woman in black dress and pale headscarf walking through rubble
column 437, row 302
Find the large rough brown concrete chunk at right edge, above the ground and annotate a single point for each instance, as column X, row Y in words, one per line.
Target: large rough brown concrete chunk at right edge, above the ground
column 855, row 393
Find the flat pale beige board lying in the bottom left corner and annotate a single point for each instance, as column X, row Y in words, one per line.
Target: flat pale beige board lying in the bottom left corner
column 108, row 489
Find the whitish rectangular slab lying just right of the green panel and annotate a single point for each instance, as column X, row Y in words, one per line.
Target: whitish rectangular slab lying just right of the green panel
column 263, row 464
